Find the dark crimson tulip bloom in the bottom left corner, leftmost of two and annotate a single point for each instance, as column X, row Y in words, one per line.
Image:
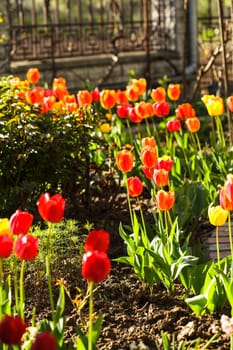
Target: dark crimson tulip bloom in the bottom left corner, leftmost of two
column 12, row 329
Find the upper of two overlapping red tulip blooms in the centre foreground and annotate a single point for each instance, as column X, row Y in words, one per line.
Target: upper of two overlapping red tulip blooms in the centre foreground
column 97, row 240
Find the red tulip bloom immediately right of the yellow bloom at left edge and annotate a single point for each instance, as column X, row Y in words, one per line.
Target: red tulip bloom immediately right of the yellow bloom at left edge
column 20, row 222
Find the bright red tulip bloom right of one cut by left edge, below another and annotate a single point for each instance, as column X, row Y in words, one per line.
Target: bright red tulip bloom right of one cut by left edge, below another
column 26, row 247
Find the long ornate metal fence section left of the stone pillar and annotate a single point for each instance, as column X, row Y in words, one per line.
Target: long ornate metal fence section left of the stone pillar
column 41, row 29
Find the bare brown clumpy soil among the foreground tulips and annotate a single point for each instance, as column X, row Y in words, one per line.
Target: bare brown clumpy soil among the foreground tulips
column 133, row 317
